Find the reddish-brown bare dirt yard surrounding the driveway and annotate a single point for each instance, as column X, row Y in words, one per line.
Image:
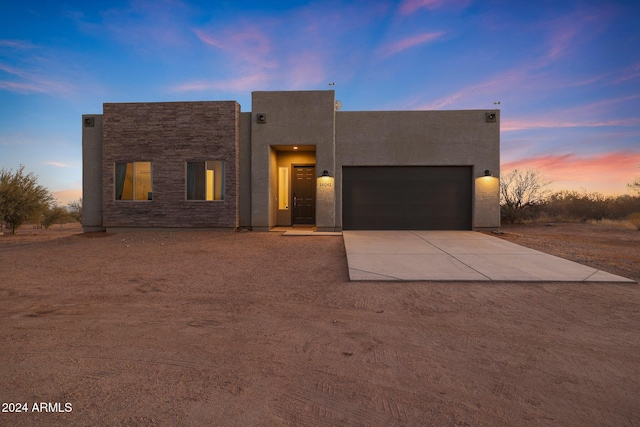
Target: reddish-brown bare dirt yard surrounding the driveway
column 240, row 329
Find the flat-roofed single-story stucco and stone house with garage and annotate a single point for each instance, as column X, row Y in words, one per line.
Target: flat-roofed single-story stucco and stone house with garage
column 295, row 159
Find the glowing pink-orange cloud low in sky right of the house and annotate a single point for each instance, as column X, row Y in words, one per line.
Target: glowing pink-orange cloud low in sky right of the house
column 607, row 172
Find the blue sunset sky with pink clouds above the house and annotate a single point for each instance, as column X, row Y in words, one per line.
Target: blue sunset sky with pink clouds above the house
column 566, row 73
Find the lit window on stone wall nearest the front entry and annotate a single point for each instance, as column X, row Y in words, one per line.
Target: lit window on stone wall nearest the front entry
column 205, row 180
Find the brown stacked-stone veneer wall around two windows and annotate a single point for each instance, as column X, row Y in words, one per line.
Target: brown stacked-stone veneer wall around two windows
column 169, row 134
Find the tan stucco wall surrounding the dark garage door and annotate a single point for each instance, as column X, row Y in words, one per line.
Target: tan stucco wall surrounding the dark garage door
column 422, row 138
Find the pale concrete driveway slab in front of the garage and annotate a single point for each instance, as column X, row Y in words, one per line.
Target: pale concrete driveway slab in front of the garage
column 457, row 256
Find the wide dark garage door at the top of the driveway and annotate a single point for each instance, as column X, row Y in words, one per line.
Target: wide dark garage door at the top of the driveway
column 406, row 198
